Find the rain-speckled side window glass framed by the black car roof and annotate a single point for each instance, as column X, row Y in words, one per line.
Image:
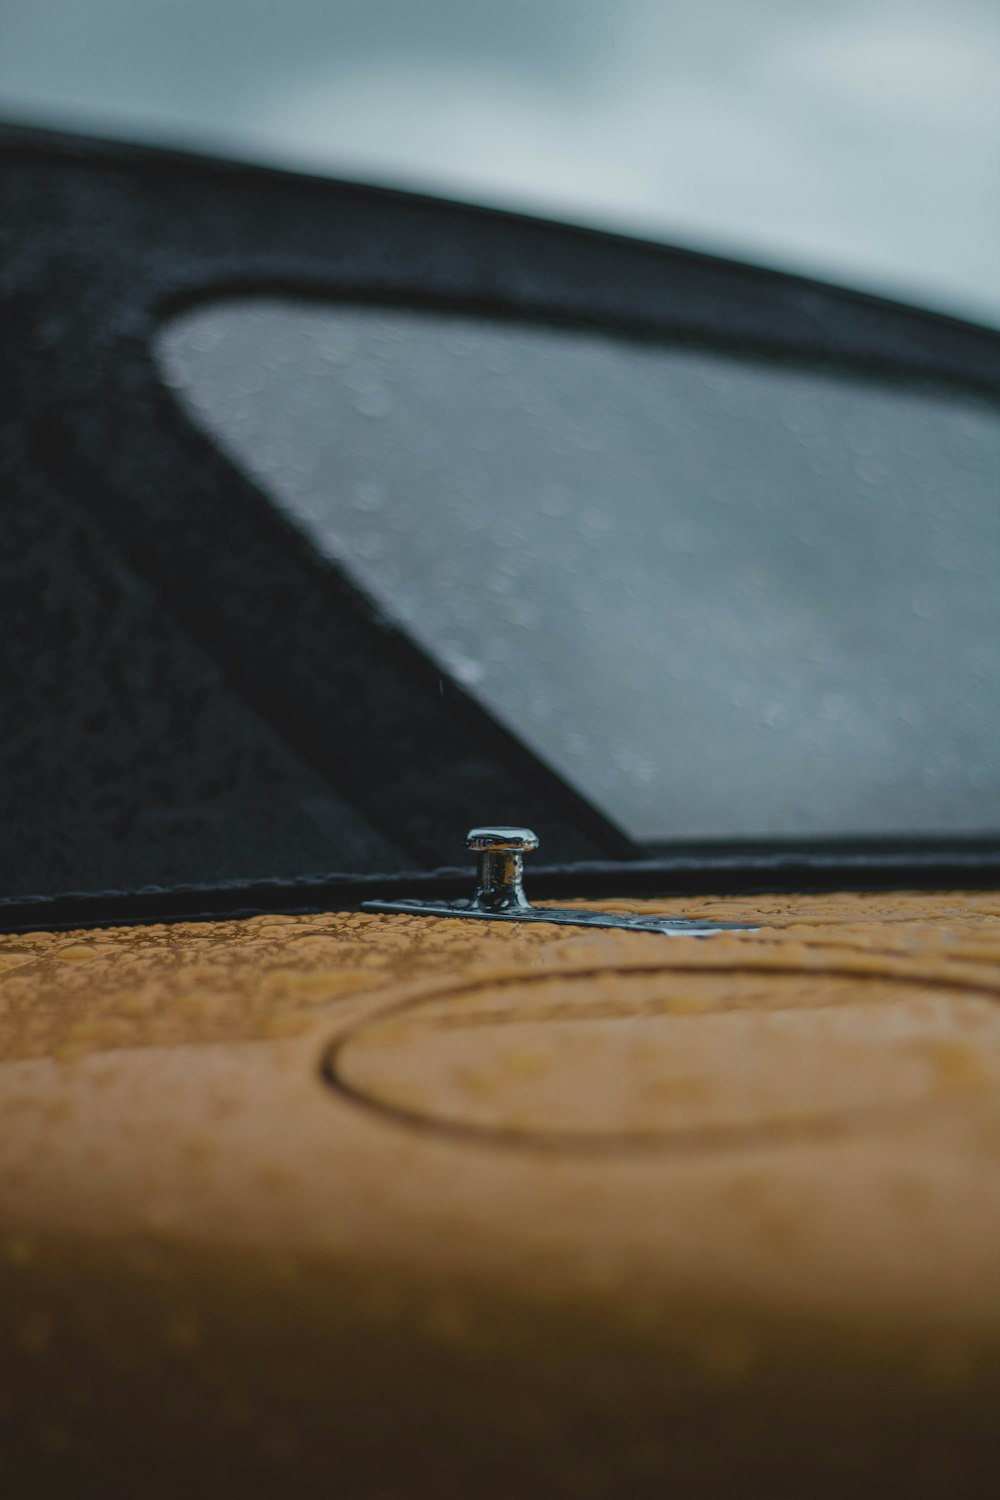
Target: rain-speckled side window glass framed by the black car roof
column 722, row 598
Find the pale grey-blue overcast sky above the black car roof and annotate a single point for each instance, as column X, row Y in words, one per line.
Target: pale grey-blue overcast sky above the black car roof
column 858, row 142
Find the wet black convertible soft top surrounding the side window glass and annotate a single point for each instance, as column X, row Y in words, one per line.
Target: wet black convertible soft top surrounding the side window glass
column 194, row 700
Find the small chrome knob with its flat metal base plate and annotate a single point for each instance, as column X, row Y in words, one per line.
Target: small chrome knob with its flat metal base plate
column 500, row 895
